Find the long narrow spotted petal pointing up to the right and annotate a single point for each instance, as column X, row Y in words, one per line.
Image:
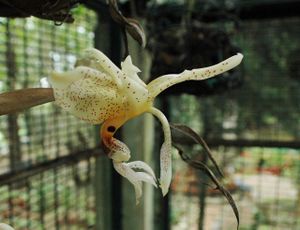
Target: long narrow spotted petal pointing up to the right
column 159, row 84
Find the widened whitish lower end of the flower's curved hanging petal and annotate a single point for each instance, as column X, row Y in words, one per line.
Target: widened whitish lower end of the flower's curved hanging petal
column 165, row 168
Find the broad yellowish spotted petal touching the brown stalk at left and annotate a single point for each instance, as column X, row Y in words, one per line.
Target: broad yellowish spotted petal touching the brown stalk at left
column 88, row 94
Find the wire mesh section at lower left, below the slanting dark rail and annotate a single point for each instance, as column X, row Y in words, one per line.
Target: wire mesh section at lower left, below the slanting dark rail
column 52, row 199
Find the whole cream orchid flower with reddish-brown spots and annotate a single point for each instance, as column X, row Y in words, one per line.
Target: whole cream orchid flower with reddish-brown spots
column 97, row 91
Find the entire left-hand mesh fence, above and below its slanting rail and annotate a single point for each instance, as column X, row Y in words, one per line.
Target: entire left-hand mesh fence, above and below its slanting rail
column 46, row 165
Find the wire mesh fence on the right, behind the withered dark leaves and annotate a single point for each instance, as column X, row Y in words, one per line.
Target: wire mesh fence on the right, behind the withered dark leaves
column 254, row 132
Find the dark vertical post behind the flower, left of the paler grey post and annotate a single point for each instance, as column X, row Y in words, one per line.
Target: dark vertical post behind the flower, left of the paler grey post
column 107, row 183
